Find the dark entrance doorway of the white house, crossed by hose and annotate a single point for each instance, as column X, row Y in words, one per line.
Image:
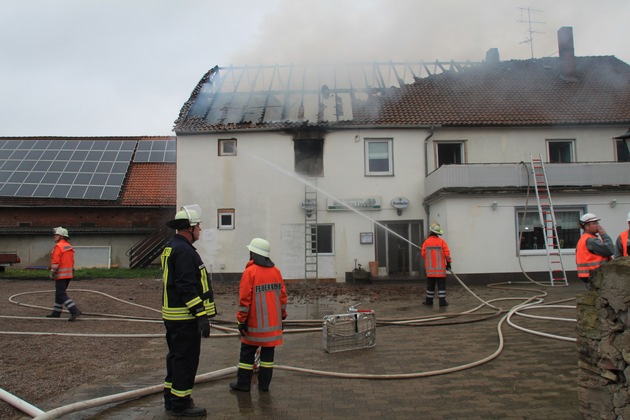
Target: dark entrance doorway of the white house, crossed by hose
column 396, row 256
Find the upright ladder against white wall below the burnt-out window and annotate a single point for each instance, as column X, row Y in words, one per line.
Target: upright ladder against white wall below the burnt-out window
column 310, row 231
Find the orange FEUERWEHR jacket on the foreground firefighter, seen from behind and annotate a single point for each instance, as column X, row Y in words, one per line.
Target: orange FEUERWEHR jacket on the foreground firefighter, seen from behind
column 262, row 305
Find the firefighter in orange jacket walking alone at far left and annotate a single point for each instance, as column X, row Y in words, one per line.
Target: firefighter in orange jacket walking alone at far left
column 62, row 271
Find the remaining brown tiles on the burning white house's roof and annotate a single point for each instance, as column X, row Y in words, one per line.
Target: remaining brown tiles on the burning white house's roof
column 510, row 93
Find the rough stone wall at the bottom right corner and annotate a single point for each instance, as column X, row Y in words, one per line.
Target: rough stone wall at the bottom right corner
column 603, row 343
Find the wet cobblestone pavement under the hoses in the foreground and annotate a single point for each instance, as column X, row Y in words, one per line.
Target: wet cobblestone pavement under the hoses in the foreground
column 533, row 377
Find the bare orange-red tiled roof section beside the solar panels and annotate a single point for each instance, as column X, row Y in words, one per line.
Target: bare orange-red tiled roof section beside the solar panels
column 151, row 184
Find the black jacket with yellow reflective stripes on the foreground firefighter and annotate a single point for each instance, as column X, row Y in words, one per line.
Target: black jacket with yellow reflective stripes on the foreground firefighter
column 187, row 289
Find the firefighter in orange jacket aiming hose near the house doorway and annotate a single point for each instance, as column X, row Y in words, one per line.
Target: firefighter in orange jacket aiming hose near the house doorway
column 437, row 259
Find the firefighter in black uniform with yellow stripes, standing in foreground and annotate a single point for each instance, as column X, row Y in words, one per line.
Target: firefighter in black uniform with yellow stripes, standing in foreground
column 187, row 305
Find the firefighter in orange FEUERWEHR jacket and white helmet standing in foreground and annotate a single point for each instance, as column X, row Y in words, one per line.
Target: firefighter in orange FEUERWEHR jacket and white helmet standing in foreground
column 261, row 309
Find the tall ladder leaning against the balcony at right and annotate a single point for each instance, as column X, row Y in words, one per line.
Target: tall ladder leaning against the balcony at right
column 557, row 274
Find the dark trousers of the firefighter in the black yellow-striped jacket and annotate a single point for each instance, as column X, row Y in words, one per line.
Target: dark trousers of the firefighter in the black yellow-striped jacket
column 182, row 360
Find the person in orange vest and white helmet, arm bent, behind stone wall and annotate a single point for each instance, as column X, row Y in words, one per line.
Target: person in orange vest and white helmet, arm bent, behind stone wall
column 592, row 251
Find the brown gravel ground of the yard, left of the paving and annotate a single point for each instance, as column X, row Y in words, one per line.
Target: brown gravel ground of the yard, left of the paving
column 46, row 370
